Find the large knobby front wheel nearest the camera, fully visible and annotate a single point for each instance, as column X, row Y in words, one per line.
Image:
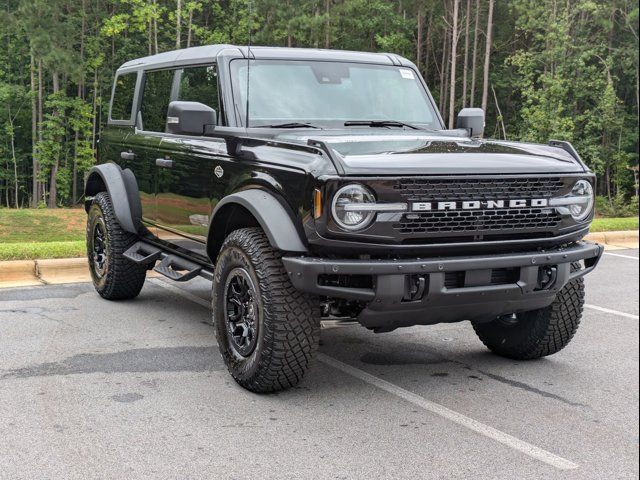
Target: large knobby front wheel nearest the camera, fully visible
column 287, row 321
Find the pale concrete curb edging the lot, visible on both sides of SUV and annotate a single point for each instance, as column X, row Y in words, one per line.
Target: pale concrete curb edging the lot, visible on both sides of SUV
column 21, row 273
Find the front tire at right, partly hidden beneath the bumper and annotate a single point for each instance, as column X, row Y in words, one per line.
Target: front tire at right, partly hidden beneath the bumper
column 537, row 333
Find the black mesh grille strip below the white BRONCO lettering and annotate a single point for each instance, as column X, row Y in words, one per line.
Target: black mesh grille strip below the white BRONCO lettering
column 478, row 221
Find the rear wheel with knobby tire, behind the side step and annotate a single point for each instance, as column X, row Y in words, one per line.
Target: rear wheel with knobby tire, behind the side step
column 114, row 276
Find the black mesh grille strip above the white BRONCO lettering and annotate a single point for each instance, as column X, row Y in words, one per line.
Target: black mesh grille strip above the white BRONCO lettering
column 421, row 189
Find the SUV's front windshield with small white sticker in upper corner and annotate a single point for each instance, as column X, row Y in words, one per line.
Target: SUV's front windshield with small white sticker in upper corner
column 329, row 93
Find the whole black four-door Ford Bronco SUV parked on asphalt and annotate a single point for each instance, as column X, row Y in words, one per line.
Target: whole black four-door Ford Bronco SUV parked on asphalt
column 310, row 184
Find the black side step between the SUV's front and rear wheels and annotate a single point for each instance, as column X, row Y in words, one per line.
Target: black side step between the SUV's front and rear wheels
column 171, row 266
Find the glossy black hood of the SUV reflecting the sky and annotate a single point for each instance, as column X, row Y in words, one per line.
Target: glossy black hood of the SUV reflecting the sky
column 364, row 153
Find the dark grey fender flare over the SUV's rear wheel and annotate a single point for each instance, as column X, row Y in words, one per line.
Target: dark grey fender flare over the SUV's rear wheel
column 123, row 190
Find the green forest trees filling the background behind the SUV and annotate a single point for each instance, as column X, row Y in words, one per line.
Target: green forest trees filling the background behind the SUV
column 565, row 70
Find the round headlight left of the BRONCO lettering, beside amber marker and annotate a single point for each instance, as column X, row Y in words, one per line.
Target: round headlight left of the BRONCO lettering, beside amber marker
column 345, row 207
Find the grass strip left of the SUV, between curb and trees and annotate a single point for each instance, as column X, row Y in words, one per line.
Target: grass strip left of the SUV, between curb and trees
column 40, row 225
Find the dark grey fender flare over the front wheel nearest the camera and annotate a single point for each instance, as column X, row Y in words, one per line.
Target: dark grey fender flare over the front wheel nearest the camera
column 272, row 216
